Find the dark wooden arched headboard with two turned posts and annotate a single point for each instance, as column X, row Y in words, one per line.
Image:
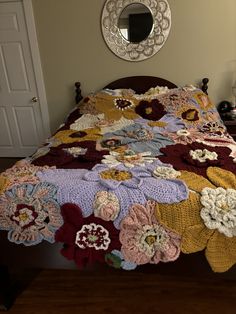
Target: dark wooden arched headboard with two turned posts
column 140, row 84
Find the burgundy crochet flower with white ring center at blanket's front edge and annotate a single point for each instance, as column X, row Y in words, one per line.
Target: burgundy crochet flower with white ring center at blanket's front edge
column 86, row 240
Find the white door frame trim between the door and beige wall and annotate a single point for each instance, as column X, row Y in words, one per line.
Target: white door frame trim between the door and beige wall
column 36, row 62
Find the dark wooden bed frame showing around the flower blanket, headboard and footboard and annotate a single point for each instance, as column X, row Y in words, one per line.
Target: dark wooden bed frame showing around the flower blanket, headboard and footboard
column 45, row 255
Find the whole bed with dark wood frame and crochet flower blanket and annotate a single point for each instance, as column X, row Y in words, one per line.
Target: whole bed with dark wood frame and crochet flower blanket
column 141, row 172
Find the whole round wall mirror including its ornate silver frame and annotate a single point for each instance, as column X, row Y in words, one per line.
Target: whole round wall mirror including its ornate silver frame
column 146, row 37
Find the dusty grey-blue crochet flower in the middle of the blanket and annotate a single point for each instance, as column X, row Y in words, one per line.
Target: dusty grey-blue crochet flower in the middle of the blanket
column 140, row 139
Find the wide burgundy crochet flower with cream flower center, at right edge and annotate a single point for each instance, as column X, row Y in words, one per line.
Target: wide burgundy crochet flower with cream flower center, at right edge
column 197, row 157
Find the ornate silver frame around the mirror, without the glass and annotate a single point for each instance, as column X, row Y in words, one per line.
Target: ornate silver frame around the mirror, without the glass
column 145, row 49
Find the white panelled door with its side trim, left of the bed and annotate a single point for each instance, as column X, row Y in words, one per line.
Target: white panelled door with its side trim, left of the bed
column 23, row 120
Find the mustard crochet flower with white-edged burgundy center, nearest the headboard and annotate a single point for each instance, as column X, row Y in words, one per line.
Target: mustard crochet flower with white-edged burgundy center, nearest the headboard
column 115, row 107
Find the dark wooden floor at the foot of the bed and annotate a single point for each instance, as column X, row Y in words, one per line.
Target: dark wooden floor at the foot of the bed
column 114, row 291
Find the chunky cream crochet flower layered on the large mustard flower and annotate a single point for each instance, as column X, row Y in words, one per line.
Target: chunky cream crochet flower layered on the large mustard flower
column 219, row 211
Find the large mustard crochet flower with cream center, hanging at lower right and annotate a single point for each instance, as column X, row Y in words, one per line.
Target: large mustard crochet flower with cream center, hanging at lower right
column 207, row 219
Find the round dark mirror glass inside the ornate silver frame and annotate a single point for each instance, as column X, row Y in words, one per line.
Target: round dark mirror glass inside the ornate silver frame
column 135, row 22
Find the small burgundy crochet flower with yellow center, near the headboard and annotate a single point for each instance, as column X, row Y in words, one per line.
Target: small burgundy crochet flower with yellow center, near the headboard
column 150, row 109
